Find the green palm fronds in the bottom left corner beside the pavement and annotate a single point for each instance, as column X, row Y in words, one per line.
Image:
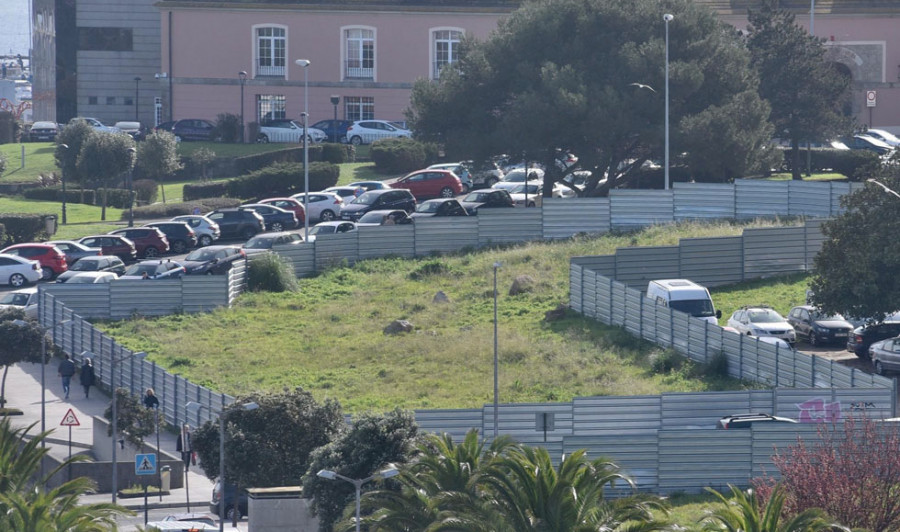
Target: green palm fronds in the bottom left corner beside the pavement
column 27, row 506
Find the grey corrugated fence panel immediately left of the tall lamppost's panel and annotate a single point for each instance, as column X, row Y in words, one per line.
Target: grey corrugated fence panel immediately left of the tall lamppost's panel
column 564, row 217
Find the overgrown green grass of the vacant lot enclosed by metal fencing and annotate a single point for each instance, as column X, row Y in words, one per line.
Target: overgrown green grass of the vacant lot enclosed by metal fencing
column 328, row 337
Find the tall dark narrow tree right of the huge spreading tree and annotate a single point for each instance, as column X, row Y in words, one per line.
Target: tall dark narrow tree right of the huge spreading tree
column 807, row 93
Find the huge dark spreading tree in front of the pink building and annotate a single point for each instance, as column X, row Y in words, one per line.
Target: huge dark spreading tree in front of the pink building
column 598, row 91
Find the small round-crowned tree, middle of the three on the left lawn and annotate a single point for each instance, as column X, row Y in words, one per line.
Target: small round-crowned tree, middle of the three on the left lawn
column 104, row 158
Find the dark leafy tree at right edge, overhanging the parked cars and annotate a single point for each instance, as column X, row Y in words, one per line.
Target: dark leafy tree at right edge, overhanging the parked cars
column 855, row 271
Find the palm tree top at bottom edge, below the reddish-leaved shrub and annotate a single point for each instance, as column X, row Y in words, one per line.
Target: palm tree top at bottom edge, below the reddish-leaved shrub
column 742, row 512
